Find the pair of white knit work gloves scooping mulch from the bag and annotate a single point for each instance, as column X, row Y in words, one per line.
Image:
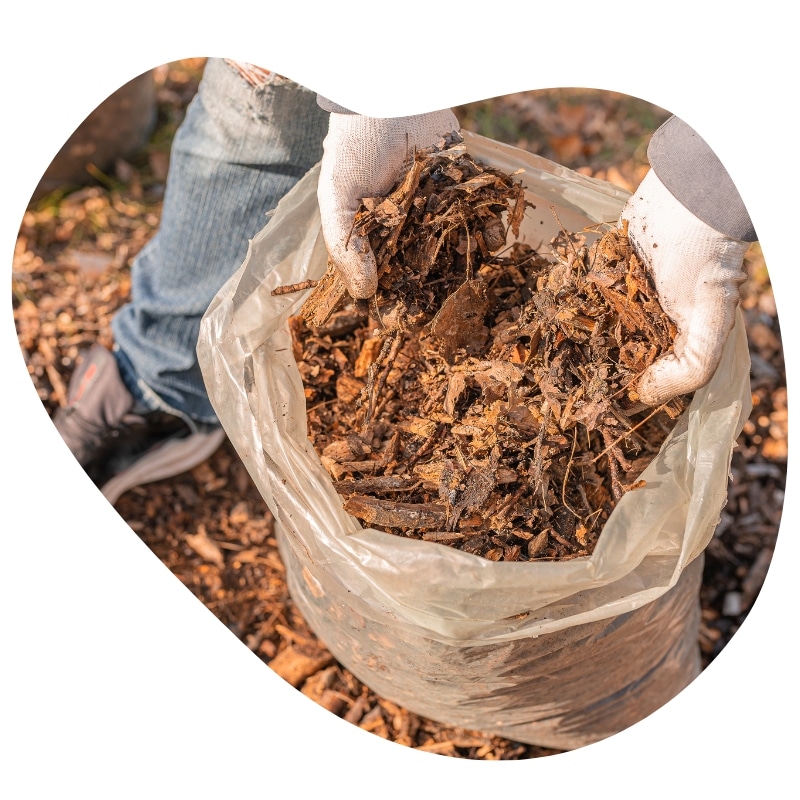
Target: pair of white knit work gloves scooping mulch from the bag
column 696, row 270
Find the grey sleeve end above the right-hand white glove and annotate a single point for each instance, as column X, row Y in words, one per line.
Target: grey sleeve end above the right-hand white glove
column 694, row 175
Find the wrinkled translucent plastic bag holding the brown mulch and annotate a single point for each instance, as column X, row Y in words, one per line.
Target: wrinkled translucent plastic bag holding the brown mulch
column 558, row 654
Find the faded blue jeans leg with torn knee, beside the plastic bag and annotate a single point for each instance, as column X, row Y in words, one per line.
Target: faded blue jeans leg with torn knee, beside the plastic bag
column 239, row 149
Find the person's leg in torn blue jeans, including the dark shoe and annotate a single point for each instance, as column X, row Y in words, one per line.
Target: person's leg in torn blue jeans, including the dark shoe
column 143, row 414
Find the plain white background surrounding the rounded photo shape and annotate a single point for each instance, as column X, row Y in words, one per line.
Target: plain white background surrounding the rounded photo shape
column 116, row 681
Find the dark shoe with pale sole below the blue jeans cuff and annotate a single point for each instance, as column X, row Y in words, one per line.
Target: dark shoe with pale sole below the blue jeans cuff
column 119, row 443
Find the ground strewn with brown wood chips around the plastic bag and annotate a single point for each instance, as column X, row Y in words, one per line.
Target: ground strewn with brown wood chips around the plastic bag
column 211, row 527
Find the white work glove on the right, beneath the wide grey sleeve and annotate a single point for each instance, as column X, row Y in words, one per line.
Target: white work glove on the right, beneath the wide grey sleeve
column 697, row 273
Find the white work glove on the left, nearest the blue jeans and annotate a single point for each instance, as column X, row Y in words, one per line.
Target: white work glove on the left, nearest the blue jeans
column 363, row 157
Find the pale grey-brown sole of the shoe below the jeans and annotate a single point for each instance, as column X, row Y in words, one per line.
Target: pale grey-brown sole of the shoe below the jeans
column 172, row 458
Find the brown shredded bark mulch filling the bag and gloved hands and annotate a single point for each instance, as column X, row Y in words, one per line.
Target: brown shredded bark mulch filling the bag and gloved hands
column 485, row 397
